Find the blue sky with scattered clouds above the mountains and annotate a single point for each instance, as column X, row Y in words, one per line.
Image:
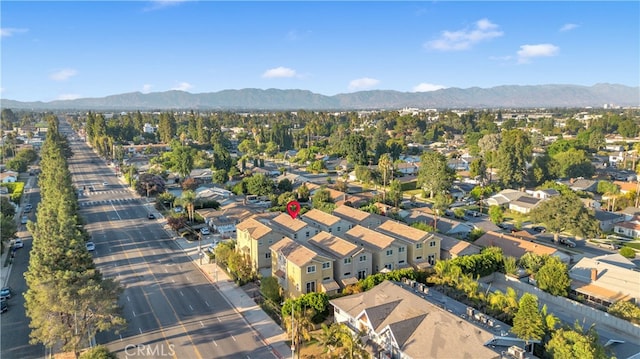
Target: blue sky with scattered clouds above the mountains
column 72, row 49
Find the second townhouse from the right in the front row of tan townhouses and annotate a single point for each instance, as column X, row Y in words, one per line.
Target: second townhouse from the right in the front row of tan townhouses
column 387, row 252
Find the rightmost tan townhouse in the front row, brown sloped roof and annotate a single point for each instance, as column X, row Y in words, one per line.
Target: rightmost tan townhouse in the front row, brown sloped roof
column 423, row 248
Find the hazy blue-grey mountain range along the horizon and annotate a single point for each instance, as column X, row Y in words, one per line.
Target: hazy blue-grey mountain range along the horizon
column 510, row 96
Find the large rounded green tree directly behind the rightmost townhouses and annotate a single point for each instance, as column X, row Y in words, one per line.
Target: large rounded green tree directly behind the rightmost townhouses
column 434, row 175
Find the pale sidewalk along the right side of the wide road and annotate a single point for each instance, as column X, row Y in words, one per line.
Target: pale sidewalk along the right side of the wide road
column 267, row 330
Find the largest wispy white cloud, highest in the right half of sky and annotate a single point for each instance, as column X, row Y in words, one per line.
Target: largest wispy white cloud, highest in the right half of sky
column 464, row 39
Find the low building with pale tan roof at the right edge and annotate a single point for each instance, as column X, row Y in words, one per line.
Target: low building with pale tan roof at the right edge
column 605, row 280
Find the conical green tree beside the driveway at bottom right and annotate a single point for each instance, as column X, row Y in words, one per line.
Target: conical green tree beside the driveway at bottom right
column 527, row 323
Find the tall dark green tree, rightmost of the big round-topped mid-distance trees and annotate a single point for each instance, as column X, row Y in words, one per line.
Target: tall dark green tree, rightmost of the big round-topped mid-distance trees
column 513, row 154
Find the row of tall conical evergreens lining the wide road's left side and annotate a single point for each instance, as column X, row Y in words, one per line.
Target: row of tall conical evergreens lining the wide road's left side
column 68, row 300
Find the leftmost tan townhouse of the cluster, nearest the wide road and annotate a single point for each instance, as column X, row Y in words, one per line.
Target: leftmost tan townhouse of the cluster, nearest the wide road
column 254, row 237
